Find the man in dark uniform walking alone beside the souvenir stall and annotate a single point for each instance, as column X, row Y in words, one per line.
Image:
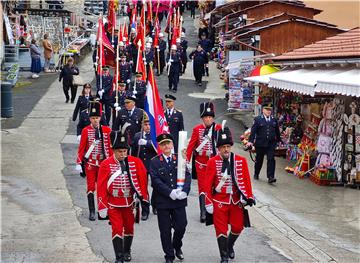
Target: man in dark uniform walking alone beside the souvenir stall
column 265, row 134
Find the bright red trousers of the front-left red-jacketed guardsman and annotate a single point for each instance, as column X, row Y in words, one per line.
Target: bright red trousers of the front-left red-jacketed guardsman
column 122, row 221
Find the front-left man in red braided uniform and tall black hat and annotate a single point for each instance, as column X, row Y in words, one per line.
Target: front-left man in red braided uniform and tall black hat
column 122, row 179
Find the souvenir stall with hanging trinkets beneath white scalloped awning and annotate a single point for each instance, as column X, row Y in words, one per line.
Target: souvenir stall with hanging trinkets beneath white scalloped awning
column 320, row 127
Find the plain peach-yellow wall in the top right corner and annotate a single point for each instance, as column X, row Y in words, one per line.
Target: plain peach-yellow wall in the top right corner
column 343, row 13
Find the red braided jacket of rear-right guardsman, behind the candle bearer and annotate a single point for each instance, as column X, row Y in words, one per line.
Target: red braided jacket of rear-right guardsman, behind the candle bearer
column 197, row 137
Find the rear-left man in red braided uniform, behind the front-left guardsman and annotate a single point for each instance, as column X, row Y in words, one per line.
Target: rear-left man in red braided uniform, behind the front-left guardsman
column 93, row 149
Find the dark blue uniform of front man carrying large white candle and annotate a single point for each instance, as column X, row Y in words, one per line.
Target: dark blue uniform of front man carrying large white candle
column 171, row 213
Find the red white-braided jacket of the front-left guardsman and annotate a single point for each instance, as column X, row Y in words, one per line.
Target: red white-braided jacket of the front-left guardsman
column 119, row 191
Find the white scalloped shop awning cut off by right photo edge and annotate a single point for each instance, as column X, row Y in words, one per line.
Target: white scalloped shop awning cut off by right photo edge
column 345, row 83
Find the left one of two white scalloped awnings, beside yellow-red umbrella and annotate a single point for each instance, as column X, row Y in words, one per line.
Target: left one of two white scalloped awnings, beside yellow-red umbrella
column 301, row 81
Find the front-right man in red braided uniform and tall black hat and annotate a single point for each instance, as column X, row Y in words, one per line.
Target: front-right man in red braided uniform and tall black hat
column 228, row 190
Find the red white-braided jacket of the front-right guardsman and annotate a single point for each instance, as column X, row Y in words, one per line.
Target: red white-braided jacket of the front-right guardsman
column 230, row 190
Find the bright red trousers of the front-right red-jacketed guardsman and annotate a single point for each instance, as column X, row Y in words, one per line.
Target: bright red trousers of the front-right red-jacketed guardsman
column 224, row 215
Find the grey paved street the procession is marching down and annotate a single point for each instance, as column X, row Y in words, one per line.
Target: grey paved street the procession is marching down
column 44, row 206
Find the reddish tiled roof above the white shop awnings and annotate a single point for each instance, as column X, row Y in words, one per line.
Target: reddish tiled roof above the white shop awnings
column 343, row 45
